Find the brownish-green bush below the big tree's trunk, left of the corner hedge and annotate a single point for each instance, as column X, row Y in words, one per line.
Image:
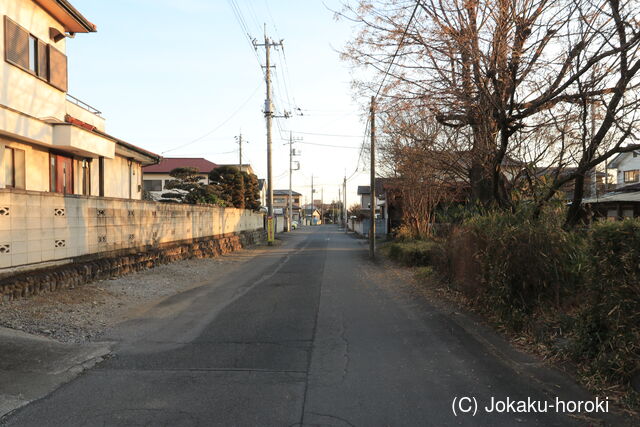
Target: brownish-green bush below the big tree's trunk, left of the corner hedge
column 524, row 264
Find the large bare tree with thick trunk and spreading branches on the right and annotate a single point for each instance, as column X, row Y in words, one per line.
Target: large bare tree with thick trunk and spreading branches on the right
column 495, row 67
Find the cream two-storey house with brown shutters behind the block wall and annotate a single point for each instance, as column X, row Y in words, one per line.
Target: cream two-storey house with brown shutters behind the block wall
column 50, row 141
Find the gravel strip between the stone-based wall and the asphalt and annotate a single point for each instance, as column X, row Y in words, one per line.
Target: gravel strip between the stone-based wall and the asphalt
column 84, row 313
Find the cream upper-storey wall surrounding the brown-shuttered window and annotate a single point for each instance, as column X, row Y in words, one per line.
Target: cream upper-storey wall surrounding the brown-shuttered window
column 27, row 93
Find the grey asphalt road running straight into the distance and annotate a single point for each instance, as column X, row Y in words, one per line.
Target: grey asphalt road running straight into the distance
column 309, row 333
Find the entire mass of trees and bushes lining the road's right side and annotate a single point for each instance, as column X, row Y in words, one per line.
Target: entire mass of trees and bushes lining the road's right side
column 495, row 119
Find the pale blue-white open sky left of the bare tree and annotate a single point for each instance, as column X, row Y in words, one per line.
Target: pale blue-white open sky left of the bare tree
column 181, row 78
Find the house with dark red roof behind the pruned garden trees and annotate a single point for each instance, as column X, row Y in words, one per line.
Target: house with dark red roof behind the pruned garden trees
column 155, row 177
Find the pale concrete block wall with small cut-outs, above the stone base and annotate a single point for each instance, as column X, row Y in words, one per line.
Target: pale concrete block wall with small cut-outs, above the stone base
column 43, row 227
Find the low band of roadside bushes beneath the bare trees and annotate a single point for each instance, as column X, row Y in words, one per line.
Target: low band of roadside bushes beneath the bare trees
column 573, row 295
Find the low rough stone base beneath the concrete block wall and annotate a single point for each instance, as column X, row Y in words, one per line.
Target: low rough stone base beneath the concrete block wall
column 90, row 268
